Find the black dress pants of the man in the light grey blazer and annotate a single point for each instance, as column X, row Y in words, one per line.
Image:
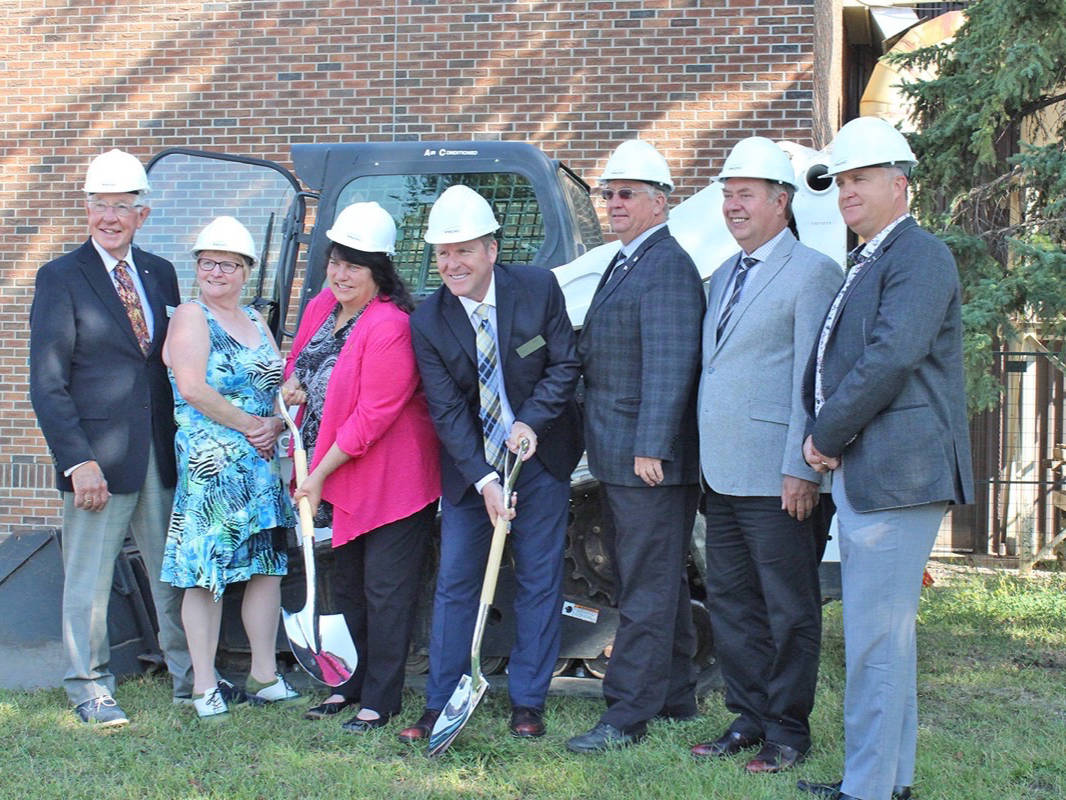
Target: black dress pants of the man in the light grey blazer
column 765, row 599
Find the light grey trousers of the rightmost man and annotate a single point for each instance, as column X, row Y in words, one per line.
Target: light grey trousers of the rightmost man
column 883, row 556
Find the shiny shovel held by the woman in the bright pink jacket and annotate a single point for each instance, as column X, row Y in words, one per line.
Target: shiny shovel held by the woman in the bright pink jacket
column 322, row 645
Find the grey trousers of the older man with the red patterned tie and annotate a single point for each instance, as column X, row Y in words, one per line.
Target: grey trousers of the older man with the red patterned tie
column 91, row 542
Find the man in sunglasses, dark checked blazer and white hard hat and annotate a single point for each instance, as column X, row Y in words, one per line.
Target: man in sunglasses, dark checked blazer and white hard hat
column 640, row 354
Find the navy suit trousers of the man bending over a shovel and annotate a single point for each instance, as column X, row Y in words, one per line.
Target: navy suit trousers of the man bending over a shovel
column 538, row 538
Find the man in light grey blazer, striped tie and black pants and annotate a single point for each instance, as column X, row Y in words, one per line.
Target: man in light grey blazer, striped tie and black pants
column 764, row 314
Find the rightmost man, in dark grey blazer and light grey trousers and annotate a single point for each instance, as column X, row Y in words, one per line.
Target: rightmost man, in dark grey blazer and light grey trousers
column 885, row 389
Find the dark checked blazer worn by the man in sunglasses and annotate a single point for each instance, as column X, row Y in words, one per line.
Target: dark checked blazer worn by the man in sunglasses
column 640, row 354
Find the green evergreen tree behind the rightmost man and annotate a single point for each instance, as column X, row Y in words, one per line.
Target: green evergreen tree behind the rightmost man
column 999, row 203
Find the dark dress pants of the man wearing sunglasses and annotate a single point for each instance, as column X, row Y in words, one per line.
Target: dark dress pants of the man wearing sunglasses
column 651, row 667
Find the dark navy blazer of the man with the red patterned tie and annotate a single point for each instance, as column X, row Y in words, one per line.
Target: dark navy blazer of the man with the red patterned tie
column 98, row 397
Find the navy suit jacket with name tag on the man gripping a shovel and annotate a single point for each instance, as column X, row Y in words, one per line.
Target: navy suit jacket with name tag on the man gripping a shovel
column 540, row 380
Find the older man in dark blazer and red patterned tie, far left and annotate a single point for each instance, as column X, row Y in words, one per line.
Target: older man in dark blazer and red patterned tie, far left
column 105, row 406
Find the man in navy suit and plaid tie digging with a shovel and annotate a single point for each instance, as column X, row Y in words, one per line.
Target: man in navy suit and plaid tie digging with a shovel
column 520, row 313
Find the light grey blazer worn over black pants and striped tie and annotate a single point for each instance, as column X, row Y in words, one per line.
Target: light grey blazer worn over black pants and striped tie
column 752, row 418
